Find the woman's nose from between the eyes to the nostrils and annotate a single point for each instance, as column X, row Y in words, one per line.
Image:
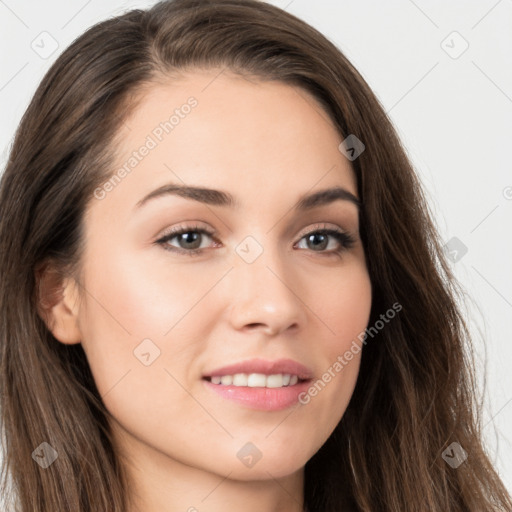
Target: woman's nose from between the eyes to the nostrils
column 264, row 292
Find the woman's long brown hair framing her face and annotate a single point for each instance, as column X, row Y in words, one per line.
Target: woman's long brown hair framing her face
column 416, row 391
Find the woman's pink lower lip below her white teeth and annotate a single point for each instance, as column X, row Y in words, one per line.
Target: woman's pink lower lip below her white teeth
column 263, row 399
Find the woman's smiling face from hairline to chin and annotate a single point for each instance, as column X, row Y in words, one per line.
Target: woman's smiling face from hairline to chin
column 160, row 323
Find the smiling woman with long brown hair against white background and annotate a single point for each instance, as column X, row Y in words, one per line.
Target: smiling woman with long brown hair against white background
column 306, row 354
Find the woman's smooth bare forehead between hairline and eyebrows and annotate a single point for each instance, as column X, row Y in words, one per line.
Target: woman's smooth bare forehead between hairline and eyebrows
column 213, row 128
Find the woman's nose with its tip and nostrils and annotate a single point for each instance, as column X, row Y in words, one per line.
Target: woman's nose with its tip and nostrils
column 265, row 295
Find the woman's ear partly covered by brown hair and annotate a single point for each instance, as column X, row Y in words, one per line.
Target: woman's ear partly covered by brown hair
column 57, row 304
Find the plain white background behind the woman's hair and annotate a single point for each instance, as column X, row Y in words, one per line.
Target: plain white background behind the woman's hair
column 453, row 113
